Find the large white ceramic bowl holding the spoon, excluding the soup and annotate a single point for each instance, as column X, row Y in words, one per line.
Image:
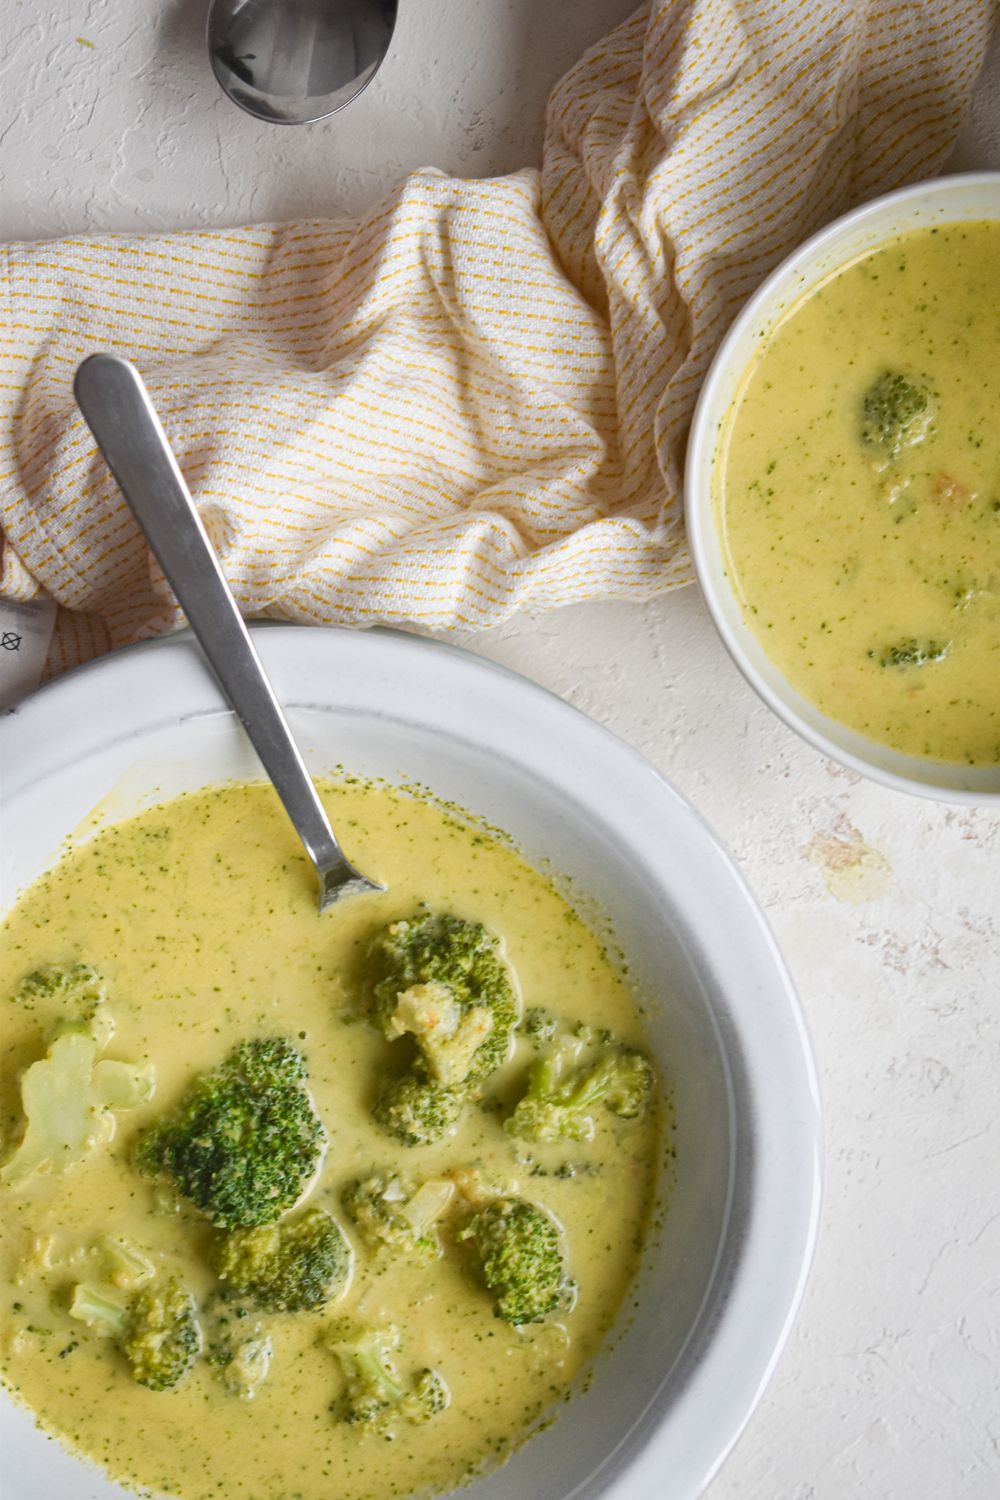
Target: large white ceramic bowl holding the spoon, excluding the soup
column 722, row 1286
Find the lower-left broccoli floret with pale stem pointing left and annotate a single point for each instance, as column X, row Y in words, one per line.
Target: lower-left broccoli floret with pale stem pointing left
column 157, row 1330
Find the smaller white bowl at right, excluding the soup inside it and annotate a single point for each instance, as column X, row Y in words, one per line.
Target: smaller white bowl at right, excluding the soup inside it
column 950, row 200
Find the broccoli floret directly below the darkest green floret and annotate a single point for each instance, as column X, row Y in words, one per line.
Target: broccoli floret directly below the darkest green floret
column 295, row 1267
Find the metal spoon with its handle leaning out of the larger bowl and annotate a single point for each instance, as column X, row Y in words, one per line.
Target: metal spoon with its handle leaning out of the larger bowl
column 121, row 415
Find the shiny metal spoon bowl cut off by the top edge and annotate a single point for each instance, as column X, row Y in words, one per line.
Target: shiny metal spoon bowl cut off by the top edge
column 298, row 61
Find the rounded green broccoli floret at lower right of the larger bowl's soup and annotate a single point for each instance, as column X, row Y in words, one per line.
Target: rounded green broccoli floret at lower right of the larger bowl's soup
column 521, row 1259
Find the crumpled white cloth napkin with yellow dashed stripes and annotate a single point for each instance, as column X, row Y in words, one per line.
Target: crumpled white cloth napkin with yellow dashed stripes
column 476, row 398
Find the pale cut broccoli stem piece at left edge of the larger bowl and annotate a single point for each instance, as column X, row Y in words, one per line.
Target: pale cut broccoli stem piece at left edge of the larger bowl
column 68, row 1099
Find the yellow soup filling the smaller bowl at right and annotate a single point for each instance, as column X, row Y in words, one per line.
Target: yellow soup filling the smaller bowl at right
column 869, row 568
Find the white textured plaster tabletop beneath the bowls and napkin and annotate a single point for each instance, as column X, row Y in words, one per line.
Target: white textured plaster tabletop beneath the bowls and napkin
column 888, row 908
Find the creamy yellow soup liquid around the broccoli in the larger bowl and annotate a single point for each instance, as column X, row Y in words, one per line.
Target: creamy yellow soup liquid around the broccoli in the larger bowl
column 202, row 916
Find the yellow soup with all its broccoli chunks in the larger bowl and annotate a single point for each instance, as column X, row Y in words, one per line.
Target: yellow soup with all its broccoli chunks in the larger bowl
column 299, row 1205
